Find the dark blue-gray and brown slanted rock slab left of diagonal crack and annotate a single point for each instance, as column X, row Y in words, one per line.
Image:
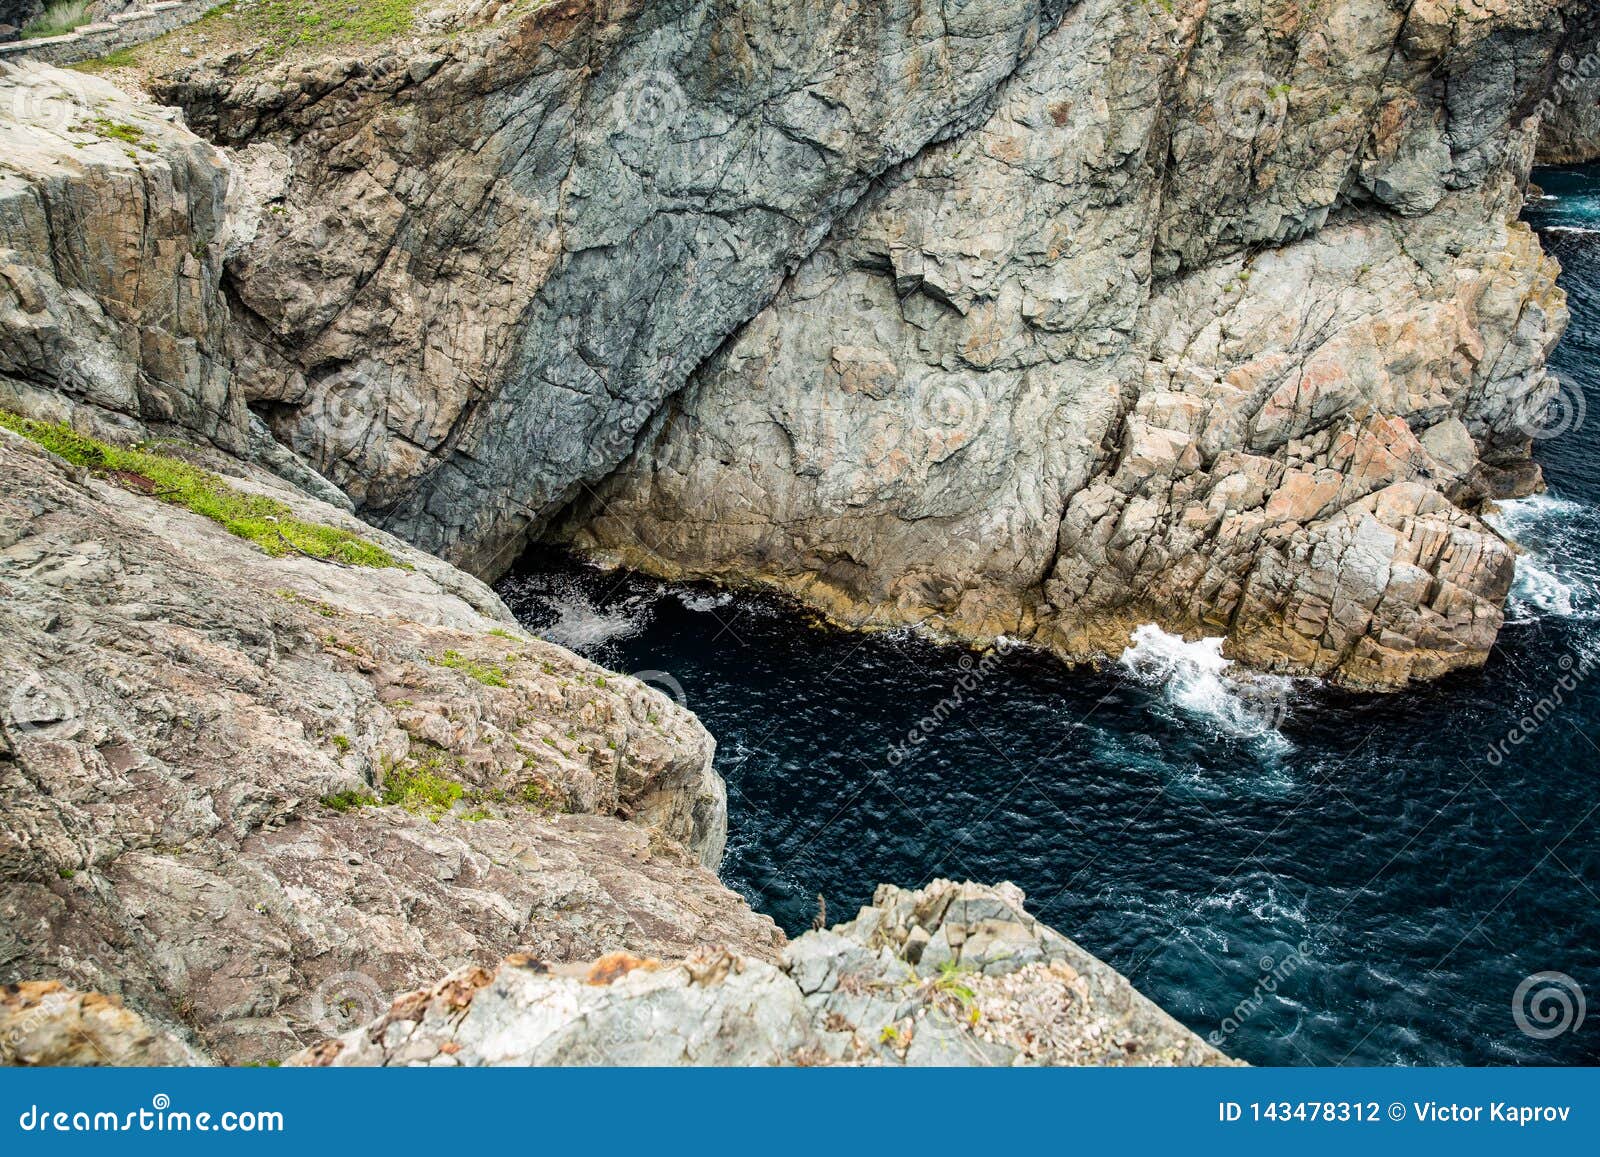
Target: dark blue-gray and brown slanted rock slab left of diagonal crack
column 500, row 257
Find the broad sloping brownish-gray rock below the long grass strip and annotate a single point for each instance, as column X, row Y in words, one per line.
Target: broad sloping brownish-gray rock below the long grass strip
column 199, row 742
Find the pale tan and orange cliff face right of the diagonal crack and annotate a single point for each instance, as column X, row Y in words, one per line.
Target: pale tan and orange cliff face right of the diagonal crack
column 1164, row 340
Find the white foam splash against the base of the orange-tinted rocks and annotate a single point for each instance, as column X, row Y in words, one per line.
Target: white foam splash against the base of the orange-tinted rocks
column 1201, row 683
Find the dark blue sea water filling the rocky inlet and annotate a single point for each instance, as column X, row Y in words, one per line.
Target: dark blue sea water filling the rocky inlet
column 1361, row 884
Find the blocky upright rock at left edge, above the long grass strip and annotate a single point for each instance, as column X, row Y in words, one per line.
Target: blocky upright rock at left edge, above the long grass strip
column 111, row 257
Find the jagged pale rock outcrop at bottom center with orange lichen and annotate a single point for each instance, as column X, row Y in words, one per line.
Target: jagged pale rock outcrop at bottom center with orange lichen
column 948, row 975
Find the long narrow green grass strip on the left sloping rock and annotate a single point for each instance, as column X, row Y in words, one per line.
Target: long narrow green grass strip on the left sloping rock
column 263, row 521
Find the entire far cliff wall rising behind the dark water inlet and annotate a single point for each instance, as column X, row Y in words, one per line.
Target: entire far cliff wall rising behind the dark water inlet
column 1042, row 319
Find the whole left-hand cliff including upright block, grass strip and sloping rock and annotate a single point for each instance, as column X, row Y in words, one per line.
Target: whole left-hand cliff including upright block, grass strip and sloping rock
column 262, row 764
